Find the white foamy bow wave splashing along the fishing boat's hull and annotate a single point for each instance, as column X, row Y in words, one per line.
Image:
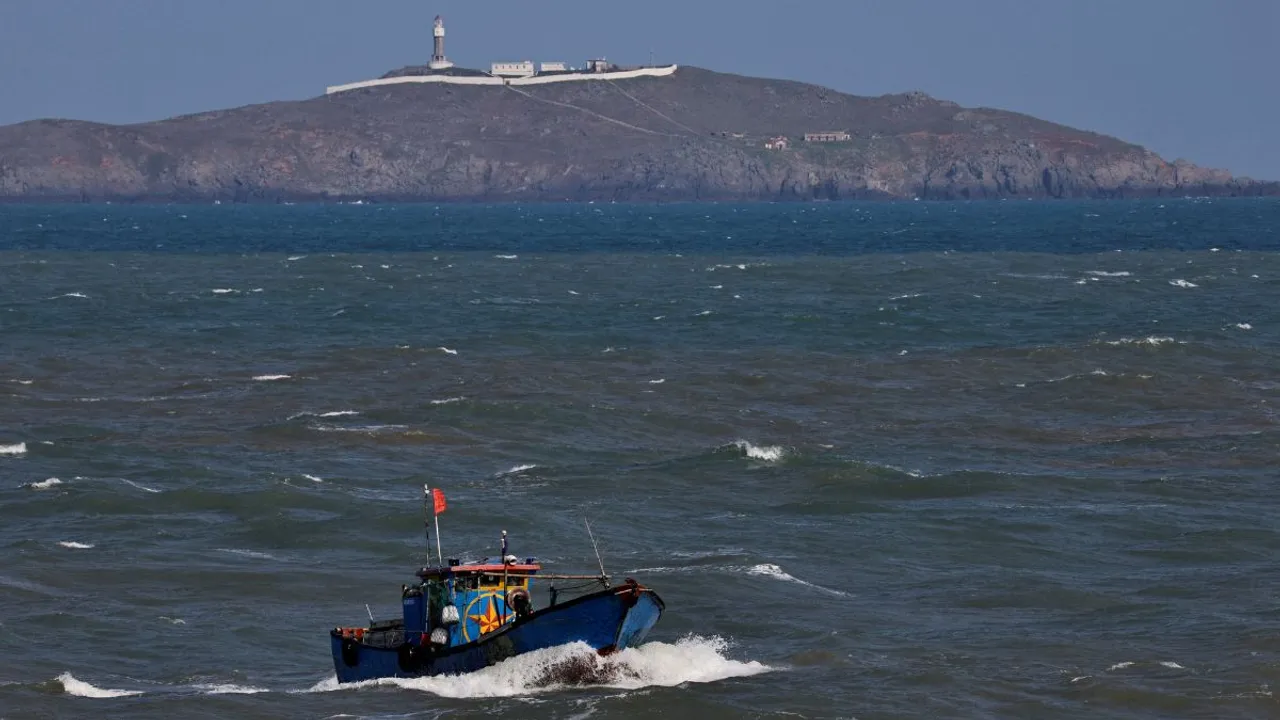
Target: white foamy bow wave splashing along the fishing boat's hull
column 689, row 660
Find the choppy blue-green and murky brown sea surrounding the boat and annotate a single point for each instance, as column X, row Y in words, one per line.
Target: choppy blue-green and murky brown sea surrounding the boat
column 881, row 461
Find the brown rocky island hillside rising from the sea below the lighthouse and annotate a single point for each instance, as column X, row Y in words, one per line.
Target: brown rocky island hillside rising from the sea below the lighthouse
column 697, row 135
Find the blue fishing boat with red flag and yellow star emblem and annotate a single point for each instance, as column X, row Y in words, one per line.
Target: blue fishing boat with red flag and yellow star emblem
column 460, row 617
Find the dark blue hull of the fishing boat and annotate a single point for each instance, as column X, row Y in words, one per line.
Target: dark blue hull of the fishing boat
column 609, row 621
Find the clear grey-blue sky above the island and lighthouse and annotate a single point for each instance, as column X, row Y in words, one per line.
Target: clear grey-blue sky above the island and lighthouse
column 1187, row 79
